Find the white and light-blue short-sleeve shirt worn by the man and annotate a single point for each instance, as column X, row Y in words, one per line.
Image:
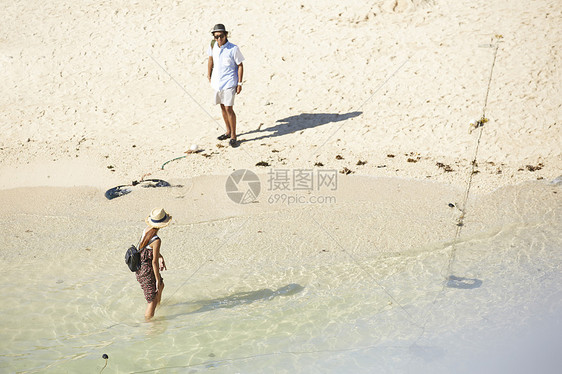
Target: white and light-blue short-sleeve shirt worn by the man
column 225, row 65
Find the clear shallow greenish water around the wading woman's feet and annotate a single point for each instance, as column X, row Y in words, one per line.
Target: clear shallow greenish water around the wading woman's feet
column 251, row 310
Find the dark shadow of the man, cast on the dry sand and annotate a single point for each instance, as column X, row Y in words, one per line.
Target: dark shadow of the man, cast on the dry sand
column 298, row 123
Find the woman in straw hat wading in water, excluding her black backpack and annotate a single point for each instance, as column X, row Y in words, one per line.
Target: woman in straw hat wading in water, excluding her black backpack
column 152, row 261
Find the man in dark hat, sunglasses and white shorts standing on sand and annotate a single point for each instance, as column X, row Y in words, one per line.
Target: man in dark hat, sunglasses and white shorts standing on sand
column 225, row 72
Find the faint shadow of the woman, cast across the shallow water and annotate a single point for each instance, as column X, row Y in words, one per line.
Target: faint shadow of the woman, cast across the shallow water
column 240, row 298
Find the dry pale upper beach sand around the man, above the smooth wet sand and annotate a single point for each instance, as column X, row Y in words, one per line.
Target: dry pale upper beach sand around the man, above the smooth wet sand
column 94, row 85
